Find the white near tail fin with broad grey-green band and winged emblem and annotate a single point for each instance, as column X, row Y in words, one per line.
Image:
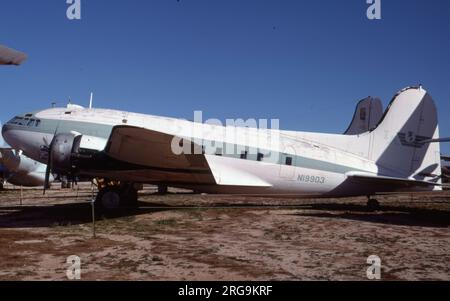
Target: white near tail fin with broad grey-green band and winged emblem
column 396, row 143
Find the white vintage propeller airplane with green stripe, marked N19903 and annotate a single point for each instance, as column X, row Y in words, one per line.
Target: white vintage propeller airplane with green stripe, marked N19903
column 124, row 150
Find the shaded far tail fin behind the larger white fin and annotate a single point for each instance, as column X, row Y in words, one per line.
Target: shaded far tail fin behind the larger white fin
column 367, row 115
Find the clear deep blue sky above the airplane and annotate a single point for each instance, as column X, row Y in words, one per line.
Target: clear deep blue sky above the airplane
column 304, row 62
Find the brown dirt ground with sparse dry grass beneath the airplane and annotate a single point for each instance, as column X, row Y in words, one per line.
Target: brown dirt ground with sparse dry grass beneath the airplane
column 183, row 236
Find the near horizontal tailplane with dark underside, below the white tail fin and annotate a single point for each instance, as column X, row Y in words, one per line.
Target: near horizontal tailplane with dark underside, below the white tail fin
column 373, row 179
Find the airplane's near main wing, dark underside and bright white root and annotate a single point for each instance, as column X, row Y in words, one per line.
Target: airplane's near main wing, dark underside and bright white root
column 153, row 150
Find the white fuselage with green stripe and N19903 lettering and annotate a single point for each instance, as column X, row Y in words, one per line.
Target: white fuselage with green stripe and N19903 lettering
column 299, row 163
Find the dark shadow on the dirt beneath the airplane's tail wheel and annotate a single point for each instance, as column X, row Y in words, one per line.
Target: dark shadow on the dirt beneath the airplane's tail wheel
column 392, row 215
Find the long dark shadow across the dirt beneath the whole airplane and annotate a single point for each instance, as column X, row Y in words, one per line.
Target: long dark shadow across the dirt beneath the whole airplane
column 80, row 213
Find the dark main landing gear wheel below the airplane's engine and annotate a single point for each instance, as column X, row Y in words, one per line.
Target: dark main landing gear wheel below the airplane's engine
column 115, row 194
